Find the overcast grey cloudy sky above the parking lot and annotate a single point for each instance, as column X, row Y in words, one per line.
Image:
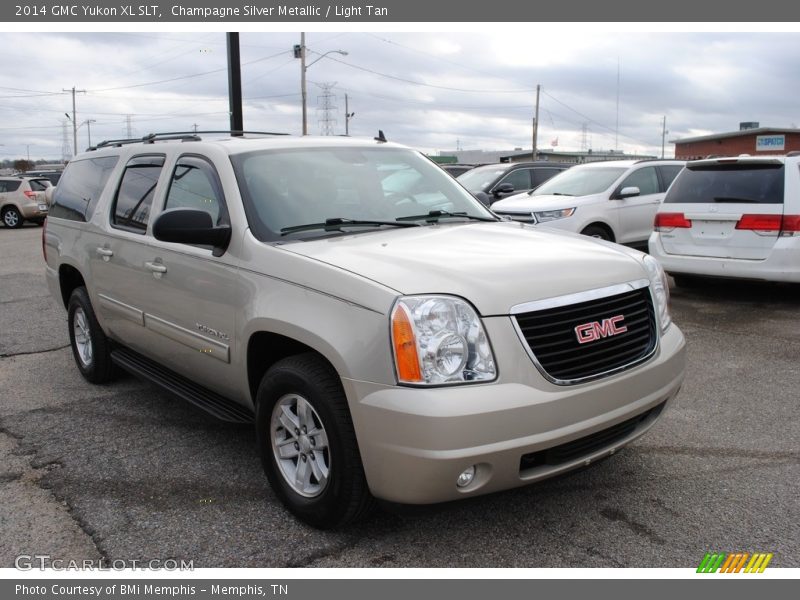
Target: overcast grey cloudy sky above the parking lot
column 433, row 91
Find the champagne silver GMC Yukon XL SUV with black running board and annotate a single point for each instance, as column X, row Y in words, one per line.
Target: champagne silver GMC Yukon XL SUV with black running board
column 388, row 336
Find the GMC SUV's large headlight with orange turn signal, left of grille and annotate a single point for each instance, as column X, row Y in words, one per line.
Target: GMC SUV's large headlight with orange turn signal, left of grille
column 439, row 339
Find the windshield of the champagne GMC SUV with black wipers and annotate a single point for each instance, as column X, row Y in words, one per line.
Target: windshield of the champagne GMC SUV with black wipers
column 342, row 188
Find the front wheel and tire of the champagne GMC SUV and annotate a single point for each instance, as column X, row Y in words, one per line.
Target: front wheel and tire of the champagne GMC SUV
column 319, row 478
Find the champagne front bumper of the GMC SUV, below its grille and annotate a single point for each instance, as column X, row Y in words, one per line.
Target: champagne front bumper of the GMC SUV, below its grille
column 415, row 442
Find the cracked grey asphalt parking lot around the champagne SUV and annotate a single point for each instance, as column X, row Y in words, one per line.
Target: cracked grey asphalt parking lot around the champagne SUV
column 127, row 472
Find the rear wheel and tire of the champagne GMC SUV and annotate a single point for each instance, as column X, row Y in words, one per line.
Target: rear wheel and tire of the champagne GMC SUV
column 90, row 346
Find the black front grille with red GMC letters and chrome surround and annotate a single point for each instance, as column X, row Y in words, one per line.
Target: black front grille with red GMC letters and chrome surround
column 551, row 336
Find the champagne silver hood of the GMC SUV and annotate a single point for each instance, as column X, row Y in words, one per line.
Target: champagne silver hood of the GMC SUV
column 492, row 265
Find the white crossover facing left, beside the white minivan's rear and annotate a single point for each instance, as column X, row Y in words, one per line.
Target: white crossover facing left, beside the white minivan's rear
column 613, row 200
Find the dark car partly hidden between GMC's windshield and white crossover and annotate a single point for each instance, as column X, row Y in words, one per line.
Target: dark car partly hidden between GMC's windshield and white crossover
column 490, row 183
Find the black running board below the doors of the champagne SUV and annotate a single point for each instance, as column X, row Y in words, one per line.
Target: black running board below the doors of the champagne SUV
column 216, row 405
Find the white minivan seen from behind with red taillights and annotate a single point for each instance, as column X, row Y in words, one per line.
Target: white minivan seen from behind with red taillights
column 733, row 217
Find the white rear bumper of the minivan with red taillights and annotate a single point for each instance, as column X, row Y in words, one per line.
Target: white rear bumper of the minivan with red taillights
column 782, row 264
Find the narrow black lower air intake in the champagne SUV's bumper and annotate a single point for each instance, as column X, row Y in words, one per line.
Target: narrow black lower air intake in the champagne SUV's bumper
column 586, row 446
